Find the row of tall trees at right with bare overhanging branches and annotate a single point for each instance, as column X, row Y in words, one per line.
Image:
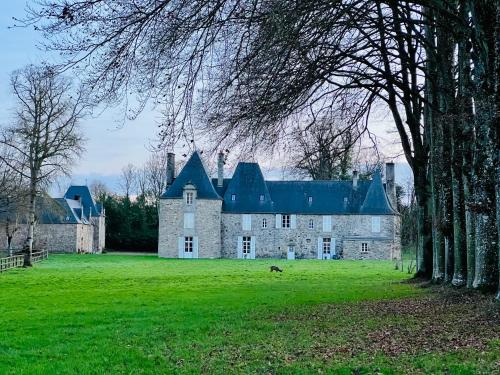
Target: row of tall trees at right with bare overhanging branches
column 246, row 69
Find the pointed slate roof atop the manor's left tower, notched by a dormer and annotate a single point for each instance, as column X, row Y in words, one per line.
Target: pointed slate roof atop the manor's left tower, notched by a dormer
column 194, row 173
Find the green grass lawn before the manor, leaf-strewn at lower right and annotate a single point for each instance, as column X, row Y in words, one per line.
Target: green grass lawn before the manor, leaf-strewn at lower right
column 110, row 314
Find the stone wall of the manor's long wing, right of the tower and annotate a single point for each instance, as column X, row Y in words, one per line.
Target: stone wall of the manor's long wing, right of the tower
column 272, row 242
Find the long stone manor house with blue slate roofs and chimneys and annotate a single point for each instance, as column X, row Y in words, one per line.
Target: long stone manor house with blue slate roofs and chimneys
column 249, row 217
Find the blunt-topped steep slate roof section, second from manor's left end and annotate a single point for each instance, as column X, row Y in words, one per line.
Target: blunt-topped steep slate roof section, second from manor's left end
column 249, row 189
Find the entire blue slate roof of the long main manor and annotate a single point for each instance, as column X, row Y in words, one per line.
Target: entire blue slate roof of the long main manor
column 253, row 194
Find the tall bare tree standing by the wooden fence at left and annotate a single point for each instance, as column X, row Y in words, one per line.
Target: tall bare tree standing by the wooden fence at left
column 44, row 140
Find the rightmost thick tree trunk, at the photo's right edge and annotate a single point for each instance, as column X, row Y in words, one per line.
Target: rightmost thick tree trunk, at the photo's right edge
column 486, row 269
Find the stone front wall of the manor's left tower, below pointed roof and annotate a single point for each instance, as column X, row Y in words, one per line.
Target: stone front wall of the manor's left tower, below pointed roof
column 207, row 226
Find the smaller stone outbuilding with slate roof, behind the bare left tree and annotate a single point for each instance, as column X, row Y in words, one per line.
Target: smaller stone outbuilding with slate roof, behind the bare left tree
column 74, row 223
